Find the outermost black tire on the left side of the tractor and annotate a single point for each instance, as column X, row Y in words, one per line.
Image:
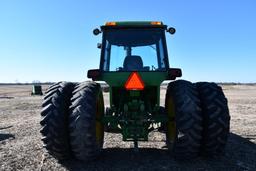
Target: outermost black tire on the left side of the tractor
column 54, row 122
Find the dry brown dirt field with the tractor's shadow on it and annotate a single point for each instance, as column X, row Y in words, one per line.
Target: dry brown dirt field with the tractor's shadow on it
column 21, row 147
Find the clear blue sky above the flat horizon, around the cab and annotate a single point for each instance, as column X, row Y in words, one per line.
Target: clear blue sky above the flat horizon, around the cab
column 52, row 40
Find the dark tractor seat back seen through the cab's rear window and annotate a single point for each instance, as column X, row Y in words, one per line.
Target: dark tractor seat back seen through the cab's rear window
column 132, row 63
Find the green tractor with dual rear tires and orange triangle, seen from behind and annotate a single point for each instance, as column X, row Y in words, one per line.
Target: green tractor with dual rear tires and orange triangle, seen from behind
column 134, row 62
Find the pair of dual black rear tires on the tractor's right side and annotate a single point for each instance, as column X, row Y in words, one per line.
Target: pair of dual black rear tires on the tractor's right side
column 199, row 119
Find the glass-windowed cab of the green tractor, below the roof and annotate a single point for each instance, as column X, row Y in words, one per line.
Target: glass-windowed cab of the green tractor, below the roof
column 134, row 48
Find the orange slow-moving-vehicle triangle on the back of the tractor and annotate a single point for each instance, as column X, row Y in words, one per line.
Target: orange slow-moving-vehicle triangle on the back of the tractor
column 134, row 82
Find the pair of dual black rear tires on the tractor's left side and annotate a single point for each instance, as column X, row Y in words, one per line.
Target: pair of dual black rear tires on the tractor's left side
column 70, row 124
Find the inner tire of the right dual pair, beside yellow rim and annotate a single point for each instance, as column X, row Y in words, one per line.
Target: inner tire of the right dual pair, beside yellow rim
column 184, row 129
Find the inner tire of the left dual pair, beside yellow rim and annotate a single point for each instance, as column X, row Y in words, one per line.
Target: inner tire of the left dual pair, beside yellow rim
column 86, row 129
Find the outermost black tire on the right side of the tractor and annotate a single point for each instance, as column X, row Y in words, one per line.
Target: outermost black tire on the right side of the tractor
column 216, row 118
